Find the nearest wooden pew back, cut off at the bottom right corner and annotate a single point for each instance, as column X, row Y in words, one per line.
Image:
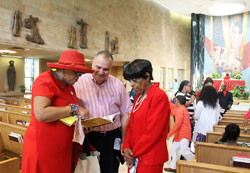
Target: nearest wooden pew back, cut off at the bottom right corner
column 196, row 167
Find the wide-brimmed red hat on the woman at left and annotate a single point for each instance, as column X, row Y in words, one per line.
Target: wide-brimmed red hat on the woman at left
column 71, row 60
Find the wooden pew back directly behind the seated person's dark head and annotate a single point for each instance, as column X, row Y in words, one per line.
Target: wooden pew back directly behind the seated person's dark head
column 215, row 136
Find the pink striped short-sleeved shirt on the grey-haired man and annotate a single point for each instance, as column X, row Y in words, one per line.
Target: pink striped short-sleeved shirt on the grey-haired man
column 103, row 100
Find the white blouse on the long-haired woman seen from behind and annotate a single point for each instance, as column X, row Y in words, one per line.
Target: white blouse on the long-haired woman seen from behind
column 206, row 118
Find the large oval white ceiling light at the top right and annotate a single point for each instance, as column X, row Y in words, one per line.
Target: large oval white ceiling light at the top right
column 227, row 9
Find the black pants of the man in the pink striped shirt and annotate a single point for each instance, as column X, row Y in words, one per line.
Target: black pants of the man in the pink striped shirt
column 104, row 143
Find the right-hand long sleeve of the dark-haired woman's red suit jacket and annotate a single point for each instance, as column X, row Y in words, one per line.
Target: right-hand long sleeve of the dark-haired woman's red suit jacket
column 157, row 122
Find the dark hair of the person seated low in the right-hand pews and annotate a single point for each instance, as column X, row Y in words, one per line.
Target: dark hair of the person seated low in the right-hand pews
column 232, row 132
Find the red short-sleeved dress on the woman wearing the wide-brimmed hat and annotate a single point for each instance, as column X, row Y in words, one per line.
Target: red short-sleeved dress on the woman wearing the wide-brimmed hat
column 47, row 147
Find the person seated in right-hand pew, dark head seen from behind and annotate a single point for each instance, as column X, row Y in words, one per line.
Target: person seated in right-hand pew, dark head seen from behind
column 232, row 132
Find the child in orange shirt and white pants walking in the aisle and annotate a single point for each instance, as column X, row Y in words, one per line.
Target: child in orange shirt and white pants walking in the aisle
column 182, row 133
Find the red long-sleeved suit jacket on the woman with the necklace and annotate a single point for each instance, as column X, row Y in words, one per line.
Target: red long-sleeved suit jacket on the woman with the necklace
column 148, row 128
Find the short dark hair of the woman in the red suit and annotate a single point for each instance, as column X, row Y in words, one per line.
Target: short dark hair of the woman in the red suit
column 137, row 69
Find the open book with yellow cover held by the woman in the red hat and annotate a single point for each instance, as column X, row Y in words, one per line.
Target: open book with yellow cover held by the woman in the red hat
column 92, row 122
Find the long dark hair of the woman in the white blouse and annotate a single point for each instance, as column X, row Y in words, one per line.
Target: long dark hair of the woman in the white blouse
column 209, row 96
